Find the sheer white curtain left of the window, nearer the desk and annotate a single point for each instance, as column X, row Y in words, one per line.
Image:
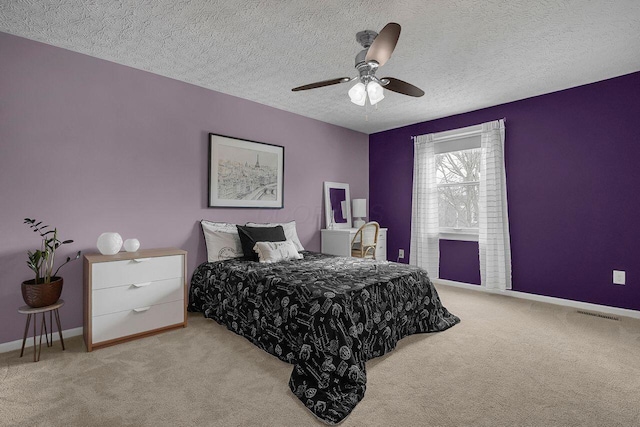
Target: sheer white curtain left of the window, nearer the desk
column 425, row 247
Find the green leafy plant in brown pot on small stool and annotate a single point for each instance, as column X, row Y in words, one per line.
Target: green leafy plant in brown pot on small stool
column 46, row 288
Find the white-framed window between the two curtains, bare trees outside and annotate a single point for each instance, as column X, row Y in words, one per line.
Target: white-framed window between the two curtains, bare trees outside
column 457, row 156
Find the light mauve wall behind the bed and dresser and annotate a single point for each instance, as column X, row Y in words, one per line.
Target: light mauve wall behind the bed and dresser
column 91, row 146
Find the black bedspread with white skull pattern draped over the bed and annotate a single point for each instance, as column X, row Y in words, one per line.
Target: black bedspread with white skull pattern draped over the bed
column 326, row 315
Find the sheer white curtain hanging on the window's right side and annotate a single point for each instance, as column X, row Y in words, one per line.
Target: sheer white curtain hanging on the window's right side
column 493, row 221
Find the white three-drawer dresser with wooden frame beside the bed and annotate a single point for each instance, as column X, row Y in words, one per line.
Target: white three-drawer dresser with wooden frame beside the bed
column 130, row 295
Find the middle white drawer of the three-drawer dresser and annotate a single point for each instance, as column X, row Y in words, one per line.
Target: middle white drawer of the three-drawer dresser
column 128, row 297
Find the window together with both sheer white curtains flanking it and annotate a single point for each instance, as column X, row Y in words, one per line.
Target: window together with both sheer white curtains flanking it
column 460, row 192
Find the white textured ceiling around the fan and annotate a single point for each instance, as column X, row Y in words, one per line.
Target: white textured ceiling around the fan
column 464, row 54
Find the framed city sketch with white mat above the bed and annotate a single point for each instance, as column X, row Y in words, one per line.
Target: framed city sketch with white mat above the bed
column 245, row 174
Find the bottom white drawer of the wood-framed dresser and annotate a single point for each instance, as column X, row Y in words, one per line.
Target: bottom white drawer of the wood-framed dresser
column 131, row 322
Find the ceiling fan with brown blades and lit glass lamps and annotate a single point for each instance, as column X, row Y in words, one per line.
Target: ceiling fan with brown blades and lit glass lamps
column 377, row 51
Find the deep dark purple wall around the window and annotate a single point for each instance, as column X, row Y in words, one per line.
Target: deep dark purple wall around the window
column 572, row 184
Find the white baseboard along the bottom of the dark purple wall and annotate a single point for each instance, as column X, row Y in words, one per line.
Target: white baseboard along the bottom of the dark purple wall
column 541, row 298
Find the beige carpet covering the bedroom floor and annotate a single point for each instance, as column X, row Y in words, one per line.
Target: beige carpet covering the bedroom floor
column 509, row 363
